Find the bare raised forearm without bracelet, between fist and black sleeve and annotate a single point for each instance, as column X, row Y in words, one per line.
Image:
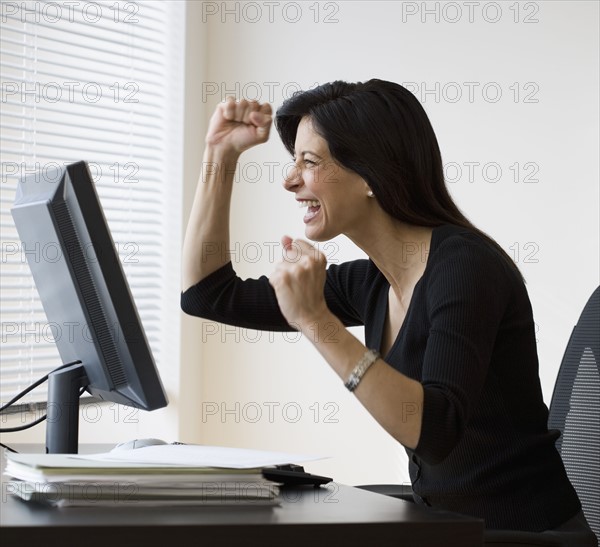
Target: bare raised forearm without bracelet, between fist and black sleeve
column 206, row 242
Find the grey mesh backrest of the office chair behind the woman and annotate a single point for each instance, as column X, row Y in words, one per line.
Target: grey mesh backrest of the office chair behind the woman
column 575, row 410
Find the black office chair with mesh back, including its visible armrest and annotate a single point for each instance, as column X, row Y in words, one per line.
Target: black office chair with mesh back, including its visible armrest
column 575, row 411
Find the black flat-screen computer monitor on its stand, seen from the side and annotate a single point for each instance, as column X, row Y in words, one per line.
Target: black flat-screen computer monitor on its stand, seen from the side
column 84, row 292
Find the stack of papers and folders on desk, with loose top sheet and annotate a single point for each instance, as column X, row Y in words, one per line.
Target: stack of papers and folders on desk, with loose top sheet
column 149, row 476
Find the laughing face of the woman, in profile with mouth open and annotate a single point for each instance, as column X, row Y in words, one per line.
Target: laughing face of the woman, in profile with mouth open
column 334, row 198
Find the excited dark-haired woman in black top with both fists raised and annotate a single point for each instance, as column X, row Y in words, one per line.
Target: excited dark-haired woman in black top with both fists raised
column 450, row 366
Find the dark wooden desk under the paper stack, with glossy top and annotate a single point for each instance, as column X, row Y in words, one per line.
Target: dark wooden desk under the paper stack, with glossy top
column 335, row 515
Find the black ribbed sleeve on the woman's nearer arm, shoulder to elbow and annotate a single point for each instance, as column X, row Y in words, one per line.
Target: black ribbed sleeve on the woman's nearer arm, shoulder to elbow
column 467, row 292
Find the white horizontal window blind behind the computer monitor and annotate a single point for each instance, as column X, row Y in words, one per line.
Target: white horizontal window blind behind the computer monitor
column 100, row 82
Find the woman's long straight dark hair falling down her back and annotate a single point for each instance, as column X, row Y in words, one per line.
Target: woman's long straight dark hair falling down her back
column 379, row 130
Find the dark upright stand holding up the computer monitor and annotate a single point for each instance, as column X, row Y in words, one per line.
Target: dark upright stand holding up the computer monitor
column 62, row 427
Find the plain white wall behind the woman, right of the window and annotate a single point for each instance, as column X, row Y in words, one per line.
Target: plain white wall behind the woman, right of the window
column 550, row 129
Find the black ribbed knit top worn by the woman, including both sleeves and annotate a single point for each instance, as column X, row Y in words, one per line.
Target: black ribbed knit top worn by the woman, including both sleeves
column 468, row 337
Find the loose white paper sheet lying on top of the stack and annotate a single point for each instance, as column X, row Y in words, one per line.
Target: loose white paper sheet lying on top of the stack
column 193, row 455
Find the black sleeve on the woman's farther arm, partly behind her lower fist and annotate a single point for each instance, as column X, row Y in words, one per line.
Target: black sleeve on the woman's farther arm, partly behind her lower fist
column 224, row 297
